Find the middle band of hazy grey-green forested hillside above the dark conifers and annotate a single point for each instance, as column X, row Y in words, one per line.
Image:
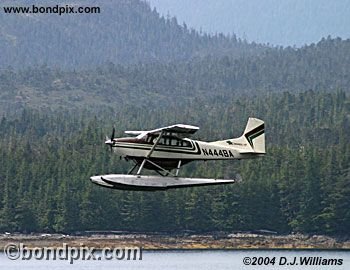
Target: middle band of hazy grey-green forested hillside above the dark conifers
column 322, row 67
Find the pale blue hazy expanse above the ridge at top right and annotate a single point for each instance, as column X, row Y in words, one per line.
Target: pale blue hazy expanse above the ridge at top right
column 277, row 22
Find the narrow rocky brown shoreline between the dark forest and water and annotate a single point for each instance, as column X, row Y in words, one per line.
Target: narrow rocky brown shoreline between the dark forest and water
column 237, row 241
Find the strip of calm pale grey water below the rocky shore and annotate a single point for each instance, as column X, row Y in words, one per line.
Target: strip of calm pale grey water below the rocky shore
column 183, row 260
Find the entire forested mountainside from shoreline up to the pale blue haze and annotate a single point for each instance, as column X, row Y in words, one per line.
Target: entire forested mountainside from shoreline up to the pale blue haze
column 66, row 80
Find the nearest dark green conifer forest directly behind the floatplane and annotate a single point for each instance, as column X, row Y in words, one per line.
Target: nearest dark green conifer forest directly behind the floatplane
column 301, row 185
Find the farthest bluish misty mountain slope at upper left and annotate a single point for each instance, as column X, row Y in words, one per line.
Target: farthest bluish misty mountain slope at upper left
column 125, row 32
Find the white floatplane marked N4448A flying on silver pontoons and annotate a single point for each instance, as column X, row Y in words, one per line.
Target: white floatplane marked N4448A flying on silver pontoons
column 165, row 150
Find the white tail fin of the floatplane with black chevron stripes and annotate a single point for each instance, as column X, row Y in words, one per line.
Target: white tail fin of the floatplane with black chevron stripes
column 253, row 138
